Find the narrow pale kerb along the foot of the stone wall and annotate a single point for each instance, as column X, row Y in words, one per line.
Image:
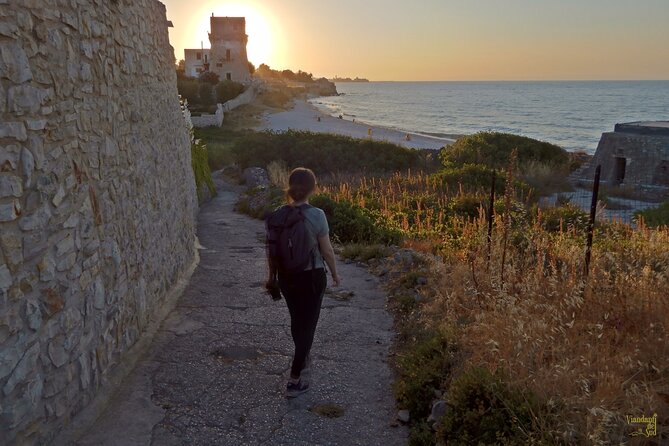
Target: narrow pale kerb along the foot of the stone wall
column 85, row 419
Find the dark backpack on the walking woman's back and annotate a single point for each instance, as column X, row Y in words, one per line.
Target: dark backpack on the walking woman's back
column 291, row 245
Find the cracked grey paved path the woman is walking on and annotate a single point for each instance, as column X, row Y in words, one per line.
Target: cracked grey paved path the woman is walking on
column 216, row 371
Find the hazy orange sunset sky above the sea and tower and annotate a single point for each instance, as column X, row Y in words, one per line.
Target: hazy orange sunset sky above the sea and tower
column 432, row 40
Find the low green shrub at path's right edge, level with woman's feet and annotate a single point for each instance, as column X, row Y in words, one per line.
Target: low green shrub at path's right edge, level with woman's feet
column 423, row 369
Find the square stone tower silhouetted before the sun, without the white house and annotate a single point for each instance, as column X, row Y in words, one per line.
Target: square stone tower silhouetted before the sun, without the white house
column 228, row 48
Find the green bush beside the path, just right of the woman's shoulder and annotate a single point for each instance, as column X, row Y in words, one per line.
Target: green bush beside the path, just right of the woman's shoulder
column 353, row 224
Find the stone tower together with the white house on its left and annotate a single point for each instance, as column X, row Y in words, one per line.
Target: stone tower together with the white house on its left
column 227, row 56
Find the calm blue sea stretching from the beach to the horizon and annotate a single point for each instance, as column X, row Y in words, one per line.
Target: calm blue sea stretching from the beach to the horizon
column 570, row 114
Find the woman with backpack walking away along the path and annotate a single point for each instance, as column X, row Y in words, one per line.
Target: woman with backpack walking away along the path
column 300, row 275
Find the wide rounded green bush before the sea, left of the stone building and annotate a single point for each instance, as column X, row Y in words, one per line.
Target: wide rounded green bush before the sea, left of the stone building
column 494, row 150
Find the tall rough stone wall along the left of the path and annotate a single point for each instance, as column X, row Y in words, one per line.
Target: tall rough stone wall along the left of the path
column 97, row 199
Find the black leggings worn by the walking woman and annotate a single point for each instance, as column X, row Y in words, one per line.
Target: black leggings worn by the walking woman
column 304, row 295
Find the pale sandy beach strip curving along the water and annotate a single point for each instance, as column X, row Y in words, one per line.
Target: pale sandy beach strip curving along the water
column 304, row 116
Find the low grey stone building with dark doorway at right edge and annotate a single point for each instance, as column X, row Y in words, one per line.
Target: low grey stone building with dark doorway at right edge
column 635, row 153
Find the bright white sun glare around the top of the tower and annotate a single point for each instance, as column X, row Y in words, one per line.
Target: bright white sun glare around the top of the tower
column 263, row 45
